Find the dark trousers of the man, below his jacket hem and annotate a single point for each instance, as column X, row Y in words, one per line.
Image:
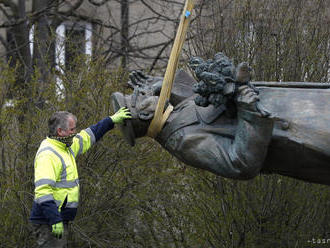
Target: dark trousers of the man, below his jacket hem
column 46, row 239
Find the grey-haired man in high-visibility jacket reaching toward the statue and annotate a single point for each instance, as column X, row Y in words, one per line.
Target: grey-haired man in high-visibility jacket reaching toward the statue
column 56, row 176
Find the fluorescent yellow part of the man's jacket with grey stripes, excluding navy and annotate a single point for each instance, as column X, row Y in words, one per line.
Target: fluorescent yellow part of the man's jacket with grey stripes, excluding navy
column 56, row 174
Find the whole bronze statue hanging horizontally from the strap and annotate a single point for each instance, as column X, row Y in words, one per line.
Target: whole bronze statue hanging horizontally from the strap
column 234, row 128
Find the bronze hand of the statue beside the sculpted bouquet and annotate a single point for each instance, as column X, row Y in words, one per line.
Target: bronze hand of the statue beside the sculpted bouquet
column 247, row 98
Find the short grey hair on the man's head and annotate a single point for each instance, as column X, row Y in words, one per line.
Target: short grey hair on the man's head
column 59, row 120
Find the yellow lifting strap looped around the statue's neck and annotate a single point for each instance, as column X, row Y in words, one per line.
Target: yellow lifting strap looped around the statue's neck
column 160, row 116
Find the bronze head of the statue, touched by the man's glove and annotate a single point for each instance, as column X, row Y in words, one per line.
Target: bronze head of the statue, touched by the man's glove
column 142, row 107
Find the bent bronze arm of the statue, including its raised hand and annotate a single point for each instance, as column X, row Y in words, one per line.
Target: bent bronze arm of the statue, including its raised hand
column 238, row 154
